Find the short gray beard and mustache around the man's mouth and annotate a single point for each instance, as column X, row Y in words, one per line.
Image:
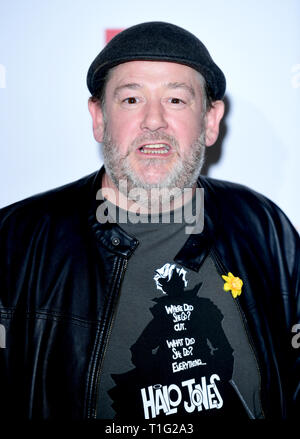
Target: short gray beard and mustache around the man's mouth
column 183, row 175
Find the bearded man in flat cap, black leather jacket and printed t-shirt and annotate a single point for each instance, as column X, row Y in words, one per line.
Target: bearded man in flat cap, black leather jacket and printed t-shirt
column 110, row 308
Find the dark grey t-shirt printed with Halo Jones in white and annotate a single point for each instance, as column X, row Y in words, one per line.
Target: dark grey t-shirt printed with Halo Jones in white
column 178, row 345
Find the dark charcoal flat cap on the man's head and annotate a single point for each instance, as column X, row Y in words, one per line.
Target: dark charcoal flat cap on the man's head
column 157, row 41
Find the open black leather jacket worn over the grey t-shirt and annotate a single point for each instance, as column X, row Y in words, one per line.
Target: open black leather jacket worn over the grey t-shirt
column 60, row 278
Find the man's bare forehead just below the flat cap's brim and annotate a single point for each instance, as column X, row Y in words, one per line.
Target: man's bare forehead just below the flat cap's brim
column 153, row 72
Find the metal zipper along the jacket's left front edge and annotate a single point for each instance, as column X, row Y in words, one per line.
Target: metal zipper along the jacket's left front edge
column 120, row 272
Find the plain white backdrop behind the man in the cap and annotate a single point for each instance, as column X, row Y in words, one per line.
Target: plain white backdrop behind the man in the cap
column 46, row 47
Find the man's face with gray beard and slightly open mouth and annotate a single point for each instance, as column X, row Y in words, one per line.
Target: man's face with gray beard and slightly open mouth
column 153, row 133
